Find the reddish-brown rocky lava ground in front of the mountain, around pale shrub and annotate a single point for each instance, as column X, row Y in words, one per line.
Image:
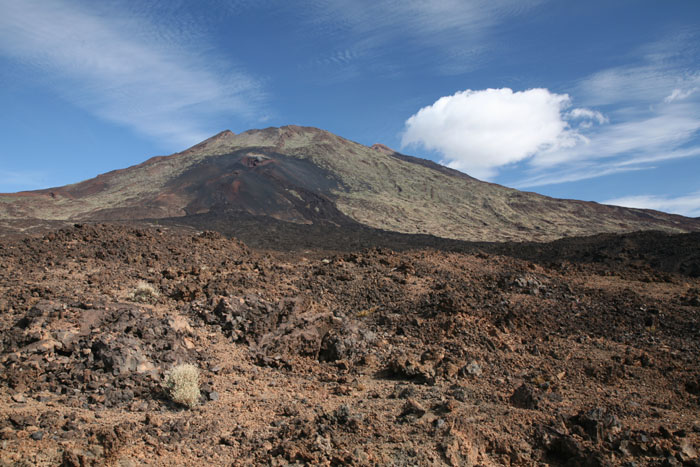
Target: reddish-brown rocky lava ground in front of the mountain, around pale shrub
column 373, row 357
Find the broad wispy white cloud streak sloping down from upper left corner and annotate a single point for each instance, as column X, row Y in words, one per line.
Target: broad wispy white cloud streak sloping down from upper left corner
column 126, row 69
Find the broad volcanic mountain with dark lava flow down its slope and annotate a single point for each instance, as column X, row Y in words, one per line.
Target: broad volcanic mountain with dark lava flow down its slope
column 306, row 176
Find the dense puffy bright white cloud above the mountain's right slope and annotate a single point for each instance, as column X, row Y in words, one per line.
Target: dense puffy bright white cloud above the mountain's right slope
column 479, row 131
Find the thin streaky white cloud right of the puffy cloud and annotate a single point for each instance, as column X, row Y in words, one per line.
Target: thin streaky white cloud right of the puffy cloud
column 651, row 114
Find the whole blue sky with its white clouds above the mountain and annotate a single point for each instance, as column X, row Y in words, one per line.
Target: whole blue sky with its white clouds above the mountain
column 592, row 100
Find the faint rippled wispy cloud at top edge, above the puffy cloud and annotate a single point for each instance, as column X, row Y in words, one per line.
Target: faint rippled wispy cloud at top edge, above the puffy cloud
column 451, row 35
